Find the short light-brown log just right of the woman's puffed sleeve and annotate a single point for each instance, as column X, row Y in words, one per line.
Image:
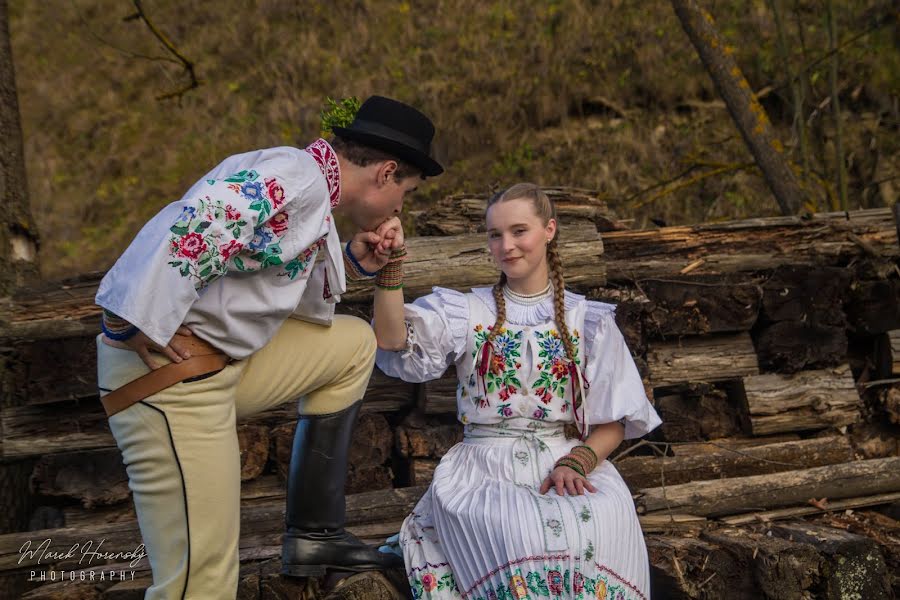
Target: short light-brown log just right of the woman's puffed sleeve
column 708, row 358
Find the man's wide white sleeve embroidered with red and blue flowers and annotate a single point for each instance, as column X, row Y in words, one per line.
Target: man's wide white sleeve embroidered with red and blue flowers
column 230, row 220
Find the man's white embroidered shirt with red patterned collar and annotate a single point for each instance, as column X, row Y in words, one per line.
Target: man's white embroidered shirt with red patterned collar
column 235, row 256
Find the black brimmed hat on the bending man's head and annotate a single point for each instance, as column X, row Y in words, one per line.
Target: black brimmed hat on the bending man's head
column 395, row 128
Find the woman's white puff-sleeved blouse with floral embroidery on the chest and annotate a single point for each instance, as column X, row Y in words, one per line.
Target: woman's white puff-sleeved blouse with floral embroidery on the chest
column 446, row 327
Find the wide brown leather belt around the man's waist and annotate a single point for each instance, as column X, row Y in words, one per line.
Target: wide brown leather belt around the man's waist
column 205, row 359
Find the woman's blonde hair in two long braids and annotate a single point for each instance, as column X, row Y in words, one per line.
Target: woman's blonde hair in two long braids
column 544, row 209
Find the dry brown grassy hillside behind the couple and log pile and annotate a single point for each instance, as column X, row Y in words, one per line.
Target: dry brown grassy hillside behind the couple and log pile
column 511, row 86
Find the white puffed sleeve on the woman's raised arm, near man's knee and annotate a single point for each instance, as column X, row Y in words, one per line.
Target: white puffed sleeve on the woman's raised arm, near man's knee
column 436, row 335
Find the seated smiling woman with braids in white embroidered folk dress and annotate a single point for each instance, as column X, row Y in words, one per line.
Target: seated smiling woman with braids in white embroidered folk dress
column 516, row 509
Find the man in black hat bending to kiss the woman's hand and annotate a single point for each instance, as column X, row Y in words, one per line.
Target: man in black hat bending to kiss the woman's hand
column 197, row 335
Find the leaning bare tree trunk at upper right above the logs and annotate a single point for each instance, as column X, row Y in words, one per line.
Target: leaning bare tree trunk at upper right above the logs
column 748, row 114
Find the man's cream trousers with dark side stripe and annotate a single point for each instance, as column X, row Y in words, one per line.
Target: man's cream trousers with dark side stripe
column 180, row 446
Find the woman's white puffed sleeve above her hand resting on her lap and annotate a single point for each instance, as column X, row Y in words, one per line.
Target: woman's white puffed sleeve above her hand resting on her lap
column 616, row 391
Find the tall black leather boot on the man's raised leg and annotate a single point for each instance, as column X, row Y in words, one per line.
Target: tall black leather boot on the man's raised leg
column 315, row 539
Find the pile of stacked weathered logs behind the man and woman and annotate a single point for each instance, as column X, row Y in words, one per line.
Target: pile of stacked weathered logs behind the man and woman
column 770, row 348
